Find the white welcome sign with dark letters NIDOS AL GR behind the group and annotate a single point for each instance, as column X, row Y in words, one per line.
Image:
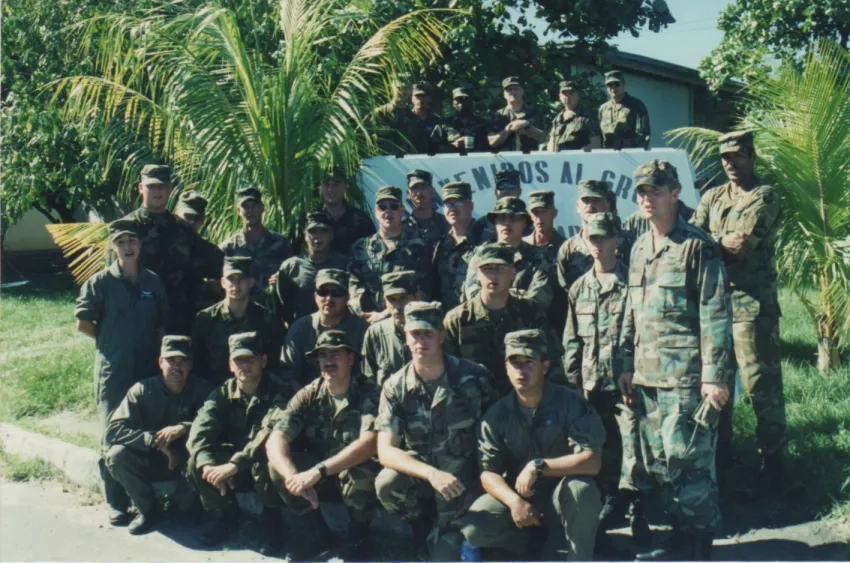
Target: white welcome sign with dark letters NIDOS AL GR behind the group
column 559, row 172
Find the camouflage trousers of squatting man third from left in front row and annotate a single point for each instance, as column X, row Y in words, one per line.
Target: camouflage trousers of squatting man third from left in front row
column 356, row 485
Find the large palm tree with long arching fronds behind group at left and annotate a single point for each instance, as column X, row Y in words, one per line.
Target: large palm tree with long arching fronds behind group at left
column 193, row 88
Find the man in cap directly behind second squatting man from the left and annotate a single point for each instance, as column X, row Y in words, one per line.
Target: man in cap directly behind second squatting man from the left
column 235, row 314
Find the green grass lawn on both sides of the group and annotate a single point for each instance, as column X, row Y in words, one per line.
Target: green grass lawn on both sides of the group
column 47, row 368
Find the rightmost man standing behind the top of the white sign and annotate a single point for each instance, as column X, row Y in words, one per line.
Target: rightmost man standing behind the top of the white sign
column 623, row 119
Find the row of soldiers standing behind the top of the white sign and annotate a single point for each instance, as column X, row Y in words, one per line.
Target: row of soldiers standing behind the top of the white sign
column 409, row 123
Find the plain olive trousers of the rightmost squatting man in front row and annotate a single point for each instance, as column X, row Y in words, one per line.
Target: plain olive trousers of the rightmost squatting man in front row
column 570, row 507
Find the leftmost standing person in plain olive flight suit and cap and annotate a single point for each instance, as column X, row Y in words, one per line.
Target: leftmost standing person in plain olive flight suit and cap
column 124, row 308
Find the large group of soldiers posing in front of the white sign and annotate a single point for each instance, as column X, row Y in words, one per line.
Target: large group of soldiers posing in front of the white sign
column 489, row 382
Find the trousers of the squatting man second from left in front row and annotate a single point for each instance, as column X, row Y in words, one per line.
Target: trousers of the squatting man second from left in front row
column 257, row 479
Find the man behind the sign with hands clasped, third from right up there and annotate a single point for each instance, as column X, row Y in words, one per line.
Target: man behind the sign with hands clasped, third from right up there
column 517, row 126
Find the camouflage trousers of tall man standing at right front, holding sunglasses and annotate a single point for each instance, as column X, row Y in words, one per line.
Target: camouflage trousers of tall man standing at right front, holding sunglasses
column 679, row 455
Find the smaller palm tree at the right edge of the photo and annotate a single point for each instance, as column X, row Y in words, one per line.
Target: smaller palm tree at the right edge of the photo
column 801, row 121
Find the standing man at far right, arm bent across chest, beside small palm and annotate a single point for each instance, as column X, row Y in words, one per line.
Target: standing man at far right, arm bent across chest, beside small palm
column 743, row 216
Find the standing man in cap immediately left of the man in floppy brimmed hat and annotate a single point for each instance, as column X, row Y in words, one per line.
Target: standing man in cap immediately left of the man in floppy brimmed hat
column 455, row 249
